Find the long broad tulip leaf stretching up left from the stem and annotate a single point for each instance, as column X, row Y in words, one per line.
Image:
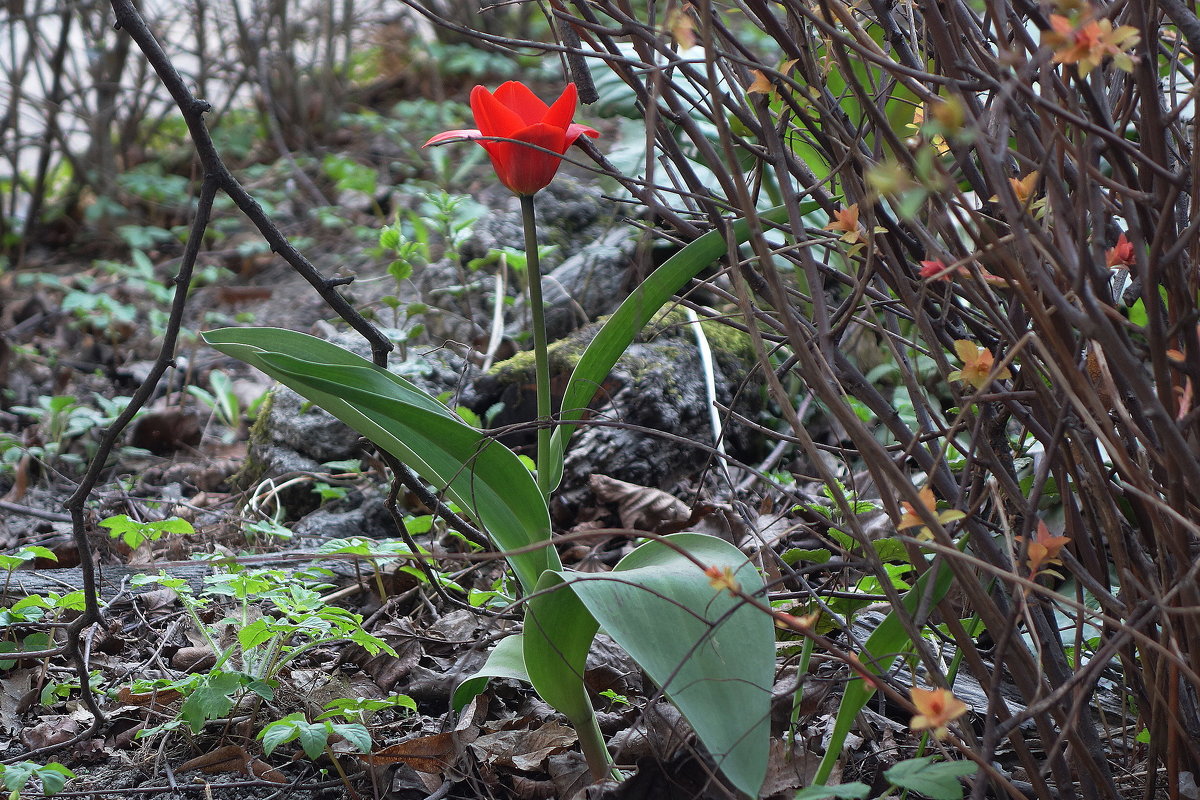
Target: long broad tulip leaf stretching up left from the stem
column 481, row 476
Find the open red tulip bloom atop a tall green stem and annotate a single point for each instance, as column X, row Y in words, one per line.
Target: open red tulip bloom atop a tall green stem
column 535, row 135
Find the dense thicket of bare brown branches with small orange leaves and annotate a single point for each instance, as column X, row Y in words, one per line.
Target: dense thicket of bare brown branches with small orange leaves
column 980, row 140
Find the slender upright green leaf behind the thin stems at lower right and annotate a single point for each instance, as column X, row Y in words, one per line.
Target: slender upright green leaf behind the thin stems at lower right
column 880, row 651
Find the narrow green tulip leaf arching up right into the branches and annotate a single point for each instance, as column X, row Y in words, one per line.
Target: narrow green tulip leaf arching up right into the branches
column 632, row 317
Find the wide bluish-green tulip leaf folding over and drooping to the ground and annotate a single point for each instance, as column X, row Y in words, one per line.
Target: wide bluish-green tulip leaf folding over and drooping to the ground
column 712, row 654
